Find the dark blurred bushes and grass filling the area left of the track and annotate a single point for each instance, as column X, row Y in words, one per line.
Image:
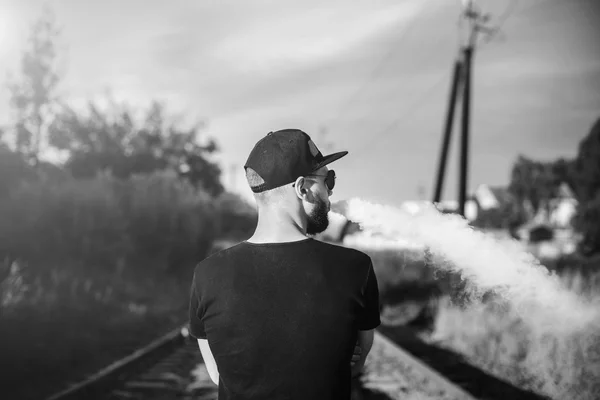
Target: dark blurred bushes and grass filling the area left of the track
column 103, row 253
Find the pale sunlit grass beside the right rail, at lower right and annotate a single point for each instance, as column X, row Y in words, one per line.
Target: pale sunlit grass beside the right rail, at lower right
column 558, row 364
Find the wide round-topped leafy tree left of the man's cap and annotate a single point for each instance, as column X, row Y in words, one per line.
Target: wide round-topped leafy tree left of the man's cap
column 113, row 140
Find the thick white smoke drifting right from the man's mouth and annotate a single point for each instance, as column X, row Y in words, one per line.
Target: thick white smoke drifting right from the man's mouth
column 485, row 262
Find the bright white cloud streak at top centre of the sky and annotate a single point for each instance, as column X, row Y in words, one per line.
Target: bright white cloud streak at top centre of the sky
column 306, row 38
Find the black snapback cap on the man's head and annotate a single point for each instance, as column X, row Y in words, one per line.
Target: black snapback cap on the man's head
column 282, row 156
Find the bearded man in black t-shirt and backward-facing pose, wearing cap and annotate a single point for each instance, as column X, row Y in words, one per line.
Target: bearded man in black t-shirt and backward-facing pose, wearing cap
column 277, row 316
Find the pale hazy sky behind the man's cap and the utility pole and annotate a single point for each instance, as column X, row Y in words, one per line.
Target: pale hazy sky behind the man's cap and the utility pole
column 369, row 76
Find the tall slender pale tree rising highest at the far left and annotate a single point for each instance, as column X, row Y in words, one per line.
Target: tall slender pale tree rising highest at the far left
column 33, row 95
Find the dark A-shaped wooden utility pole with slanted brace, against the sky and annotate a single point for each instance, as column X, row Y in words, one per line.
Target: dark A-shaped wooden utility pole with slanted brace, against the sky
column 461, row 83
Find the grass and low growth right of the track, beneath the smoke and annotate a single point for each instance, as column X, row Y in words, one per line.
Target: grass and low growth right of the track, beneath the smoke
column 492, row 336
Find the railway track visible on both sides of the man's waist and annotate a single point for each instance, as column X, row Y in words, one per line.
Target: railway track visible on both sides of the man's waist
column 399, row 366
